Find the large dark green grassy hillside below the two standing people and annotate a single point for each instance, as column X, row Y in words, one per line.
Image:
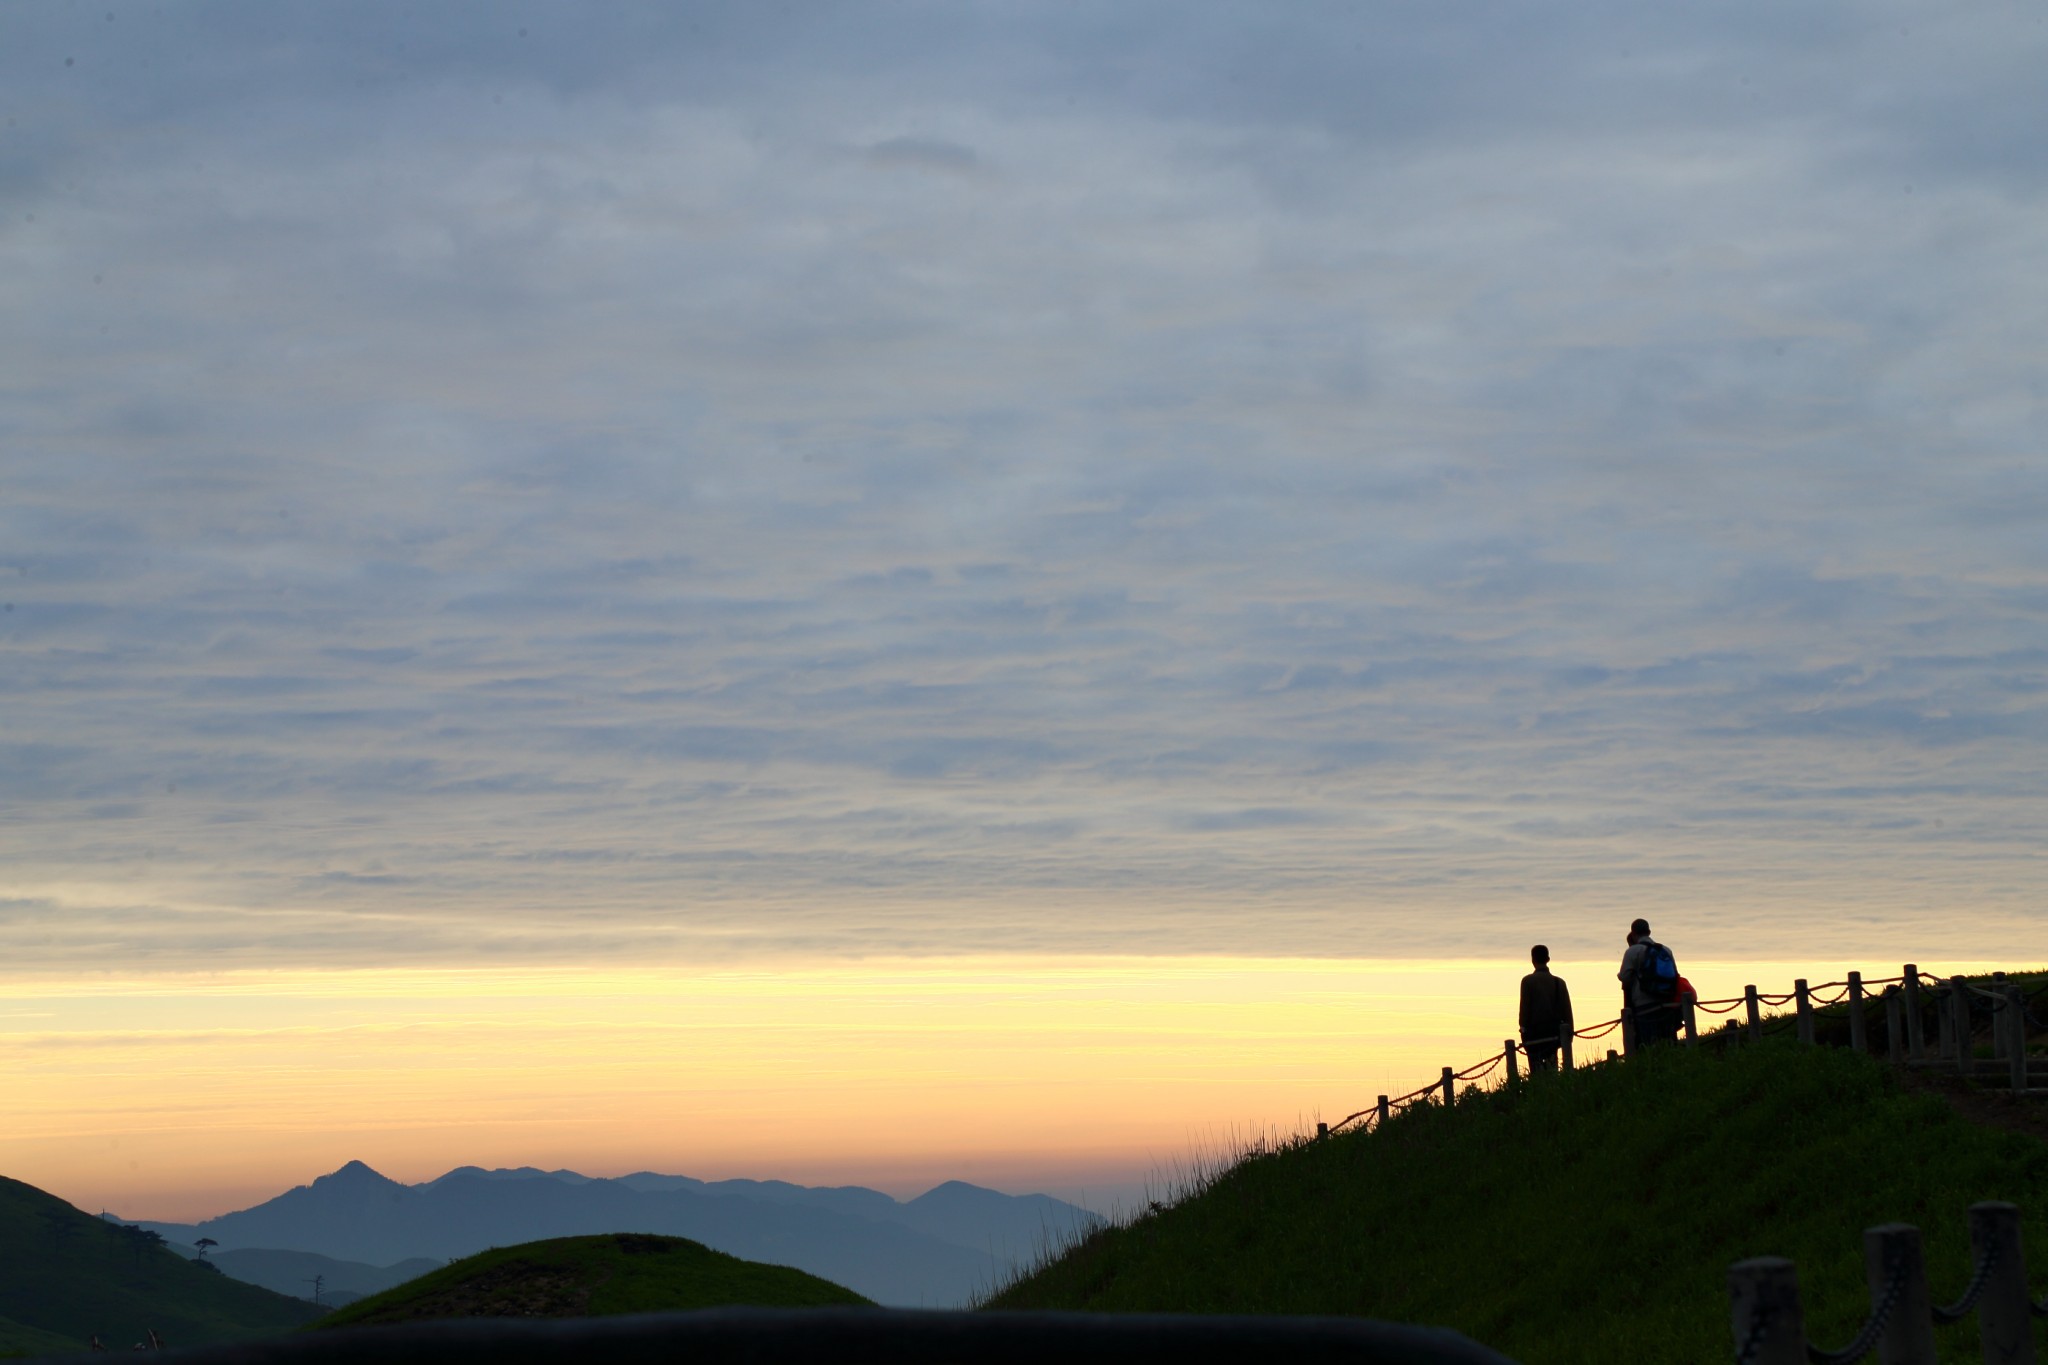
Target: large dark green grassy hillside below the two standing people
column 1588, row 1219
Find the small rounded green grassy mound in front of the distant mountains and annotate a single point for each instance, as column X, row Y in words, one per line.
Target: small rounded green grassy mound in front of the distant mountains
column 593, row 1278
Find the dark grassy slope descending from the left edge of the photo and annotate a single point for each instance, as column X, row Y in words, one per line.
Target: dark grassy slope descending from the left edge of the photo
column 71, row 1276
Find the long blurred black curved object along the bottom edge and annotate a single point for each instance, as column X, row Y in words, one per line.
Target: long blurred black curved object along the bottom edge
column 880, row 1335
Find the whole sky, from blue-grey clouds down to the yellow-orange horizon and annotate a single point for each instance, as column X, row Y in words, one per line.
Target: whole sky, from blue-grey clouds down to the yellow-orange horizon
column 820, row 500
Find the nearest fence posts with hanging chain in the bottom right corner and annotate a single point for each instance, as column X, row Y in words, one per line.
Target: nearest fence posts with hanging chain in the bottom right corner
column 1770, row 1327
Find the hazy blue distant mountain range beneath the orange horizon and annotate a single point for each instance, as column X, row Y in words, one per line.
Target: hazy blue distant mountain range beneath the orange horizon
column 937, row 1251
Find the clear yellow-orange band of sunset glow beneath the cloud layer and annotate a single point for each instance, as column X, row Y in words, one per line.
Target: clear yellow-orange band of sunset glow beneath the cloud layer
column 185, row 1098
